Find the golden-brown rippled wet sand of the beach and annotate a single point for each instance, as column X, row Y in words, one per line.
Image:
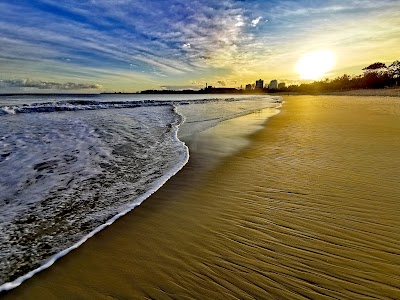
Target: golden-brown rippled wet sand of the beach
column 309, row 208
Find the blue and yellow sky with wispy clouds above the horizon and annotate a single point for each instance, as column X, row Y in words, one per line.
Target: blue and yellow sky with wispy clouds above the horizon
column 133, row 45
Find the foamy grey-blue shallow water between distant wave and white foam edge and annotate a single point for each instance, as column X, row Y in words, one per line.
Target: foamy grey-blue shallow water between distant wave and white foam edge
column 65, row 174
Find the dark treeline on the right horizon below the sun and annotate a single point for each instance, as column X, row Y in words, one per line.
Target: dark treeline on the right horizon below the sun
column 375, row 76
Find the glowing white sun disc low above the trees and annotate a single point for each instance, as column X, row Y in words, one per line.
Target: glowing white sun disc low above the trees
column 314, row 65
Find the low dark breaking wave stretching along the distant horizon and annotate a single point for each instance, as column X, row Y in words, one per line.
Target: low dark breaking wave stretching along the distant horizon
column 76, row 105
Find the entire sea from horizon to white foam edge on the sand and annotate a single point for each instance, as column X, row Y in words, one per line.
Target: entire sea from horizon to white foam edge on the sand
column 71, row 165
